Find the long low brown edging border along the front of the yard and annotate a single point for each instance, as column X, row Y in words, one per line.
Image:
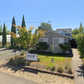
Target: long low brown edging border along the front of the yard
column 49, row 72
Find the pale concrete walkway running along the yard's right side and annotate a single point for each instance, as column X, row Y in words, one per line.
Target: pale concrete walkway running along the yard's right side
column 77, row 63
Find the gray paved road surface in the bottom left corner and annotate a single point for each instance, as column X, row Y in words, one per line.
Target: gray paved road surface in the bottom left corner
column 10, row 79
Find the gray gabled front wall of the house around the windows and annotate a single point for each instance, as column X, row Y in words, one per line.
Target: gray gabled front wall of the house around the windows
column 50, row 37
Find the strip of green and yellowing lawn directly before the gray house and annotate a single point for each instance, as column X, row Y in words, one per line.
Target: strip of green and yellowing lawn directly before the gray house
column 46, row 58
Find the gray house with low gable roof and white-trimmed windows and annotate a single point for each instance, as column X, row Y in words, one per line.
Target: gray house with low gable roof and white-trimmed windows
column 54, row 38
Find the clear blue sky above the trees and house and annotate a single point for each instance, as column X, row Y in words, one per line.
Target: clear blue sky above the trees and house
column 60, row 13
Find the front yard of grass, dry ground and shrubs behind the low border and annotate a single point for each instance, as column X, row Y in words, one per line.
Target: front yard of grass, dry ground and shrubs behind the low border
column 61, row 63
